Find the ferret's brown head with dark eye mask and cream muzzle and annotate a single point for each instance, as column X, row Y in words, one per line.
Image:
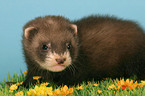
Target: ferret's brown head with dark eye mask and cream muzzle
column 51, row 42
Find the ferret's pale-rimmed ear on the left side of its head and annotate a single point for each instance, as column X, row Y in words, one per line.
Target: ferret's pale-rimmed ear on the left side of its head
column 30, row 32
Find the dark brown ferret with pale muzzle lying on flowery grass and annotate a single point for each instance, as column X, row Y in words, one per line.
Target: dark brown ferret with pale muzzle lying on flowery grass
column 92, row 48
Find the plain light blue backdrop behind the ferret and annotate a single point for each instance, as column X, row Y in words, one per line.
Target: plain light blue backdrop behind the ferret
column 15, row 13
